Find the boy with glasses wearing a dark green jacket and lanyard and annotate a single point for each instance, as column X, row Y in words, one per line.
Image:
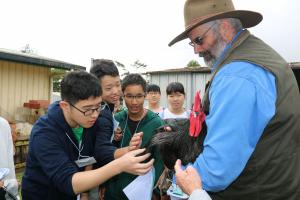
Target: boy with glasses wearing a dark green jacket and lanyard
column 132, row 121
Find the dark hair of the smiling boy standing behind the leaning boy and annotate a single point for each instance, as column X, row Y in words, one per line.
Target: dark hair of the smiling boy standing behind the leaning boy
column 102, row 67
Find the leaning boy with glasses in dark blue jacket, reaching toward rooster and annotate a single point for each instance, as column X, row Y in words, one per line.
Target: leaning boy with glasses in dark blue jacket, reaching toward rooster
column 61, row 145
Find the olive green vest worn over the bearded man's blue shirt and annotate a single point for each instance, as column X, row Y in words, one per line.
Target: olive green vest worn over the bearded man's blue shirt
column 273, row 170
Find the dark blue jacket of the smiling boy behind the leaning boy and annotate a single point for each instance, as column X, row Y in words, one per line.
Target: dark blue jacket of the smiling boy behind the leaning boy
column 104, row 149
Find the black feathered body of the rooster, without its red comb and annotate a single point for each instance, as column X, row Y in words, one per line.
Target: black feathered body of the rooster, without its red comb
column 177, row 143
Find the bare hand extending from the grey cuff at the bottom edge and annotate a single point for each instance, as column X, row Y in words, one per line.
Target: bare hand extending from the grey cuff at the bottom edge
column 188, row 180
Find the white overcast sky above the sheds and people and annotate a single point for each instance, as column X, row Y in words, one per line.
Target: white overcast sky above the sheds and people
column 76, row 31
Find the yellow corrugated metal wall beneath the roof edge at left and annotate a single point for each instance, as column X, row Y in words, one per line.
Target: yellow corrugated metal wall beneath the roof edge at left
column 20, row 83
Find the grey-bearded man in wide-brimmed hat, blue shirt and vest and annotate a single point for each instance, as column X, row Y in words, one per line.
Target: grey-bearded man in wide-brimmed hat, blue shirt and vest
column 252, row 104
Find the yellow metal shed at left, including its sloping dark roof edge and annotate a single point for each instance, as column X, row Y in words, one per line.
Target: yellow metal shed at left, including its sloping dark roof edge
column 24, row 77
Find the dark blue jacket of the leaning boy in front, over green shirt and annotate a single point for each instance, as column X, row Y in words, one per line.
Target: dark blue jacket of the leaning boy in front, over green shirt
column 50, row 161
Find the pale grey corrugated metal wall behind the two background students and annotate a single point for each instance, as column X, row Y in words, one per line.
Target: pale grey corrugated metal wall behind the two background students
column 192, row 81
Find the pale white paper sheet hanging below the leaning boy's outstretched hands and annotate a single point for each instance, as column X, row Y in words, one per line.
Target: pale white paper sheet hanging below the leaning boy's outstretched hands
column 141, row 187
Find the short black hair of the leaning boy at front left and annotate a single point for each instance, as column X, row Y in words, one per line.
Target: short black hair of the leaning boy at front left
column 79, row 85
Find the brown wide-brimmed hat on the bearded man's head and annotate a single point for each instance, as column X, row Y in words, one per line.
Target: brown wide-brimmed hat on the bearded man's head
column 197, row 12
